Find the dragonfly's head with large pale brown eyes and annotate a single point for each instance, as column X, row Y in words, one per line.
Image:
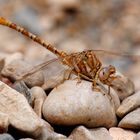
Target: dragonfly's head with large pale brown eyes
column 107, row 74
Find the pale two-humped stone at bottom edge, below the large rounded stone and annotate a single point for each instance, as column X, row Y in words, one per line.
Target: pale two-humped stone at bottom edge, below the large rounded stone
column 82, row 133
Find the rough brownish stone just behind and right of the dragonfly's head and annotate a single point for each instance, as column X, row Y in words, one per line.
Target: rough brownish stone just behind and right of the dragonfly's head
column 123, row 86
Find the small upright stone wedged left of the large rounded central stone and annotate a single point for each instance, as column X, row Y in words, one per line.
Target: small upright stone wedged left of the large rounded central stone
column 38, row 97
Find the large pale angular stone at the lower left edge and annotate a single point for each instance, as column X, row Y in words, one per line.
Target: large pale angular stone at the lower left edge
column 20, row 114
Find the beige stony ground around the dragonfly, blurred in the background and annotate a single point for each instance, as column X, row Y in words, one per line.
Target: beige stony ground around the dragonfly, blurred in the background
column 41, row 106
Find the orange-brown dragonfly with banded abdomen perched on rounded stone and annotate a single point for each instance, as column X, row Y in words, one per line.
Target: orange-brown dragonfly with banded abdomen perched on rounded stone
column 85, row 65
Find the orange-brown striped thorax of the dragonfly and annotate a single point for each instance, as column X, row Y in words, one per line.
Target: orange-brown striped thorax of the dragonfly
column 84, row 62
